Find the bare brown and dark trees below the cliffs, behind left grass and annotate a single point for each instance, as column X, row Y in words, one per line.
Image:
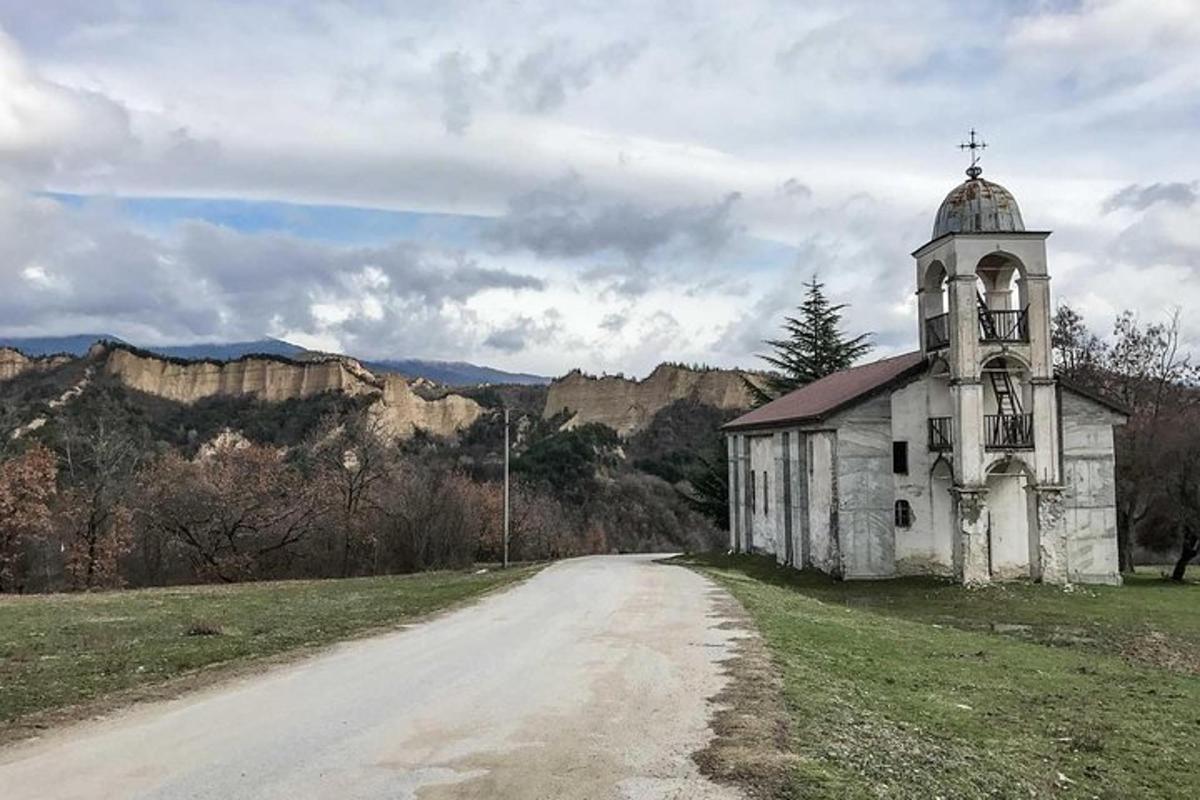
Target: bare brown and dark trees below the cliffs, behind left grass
column 95, row 502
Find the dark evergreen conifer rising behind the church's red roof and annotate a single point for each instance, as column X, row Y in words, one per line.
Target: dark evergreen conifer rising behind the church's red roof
column 814, row 347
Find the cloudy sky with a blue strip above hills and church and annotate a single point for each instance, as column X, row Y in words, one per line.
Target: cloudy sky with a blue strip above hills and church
column 542, row 187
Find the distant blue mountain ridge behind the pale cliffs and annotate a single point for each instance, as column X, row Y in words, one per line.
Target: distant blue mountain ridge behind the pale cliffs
column 455, row 374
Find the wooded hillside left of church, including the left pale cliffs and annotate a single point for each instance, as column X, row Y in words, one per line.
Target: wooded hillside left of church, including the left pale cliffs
column 139, row 471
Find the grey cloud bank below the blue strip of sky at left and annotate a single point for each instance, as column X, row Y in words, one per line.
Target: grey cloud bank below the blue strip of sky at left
column 205, row 281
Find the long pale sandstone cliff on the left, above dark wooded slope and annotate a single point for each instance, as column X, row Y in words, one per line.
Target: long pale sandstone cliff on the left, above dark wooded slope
column 400, row 411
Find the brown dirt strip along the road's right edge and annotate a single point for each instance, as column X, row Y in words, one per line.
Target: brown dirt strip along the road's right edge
column 752, row 748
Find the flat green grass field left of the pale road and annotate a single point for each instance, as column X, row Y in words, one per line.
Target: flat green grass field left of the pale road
column 62, row 651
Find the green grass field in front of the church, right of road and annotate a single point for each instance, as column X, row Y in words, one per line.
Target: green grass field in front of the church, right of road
column 920, row 689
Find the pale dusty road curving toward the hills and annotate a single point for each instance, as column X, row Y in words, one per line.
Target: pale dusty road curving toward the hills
column 589, row 682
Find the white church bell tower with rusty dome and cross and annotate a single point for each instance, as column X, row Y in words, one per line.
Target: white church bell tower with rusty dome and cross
column 985, row 324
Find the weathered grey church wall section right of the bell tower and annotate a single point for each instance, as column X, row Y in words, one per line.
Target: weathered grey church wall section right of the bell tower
column 1090, row 497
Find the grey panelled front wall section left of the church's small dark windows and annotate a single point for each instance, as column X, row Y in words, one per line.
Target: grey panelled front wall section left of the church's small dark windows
column 866, row 490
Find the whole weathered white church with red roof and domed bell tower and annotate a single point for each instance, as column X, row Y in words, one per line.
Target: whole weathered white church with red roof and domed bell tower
column 967, row 459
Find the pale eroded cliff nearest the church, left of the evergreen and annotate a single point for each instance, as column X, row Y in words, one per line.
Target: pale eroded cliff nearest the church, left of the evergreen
column 627, row 406
